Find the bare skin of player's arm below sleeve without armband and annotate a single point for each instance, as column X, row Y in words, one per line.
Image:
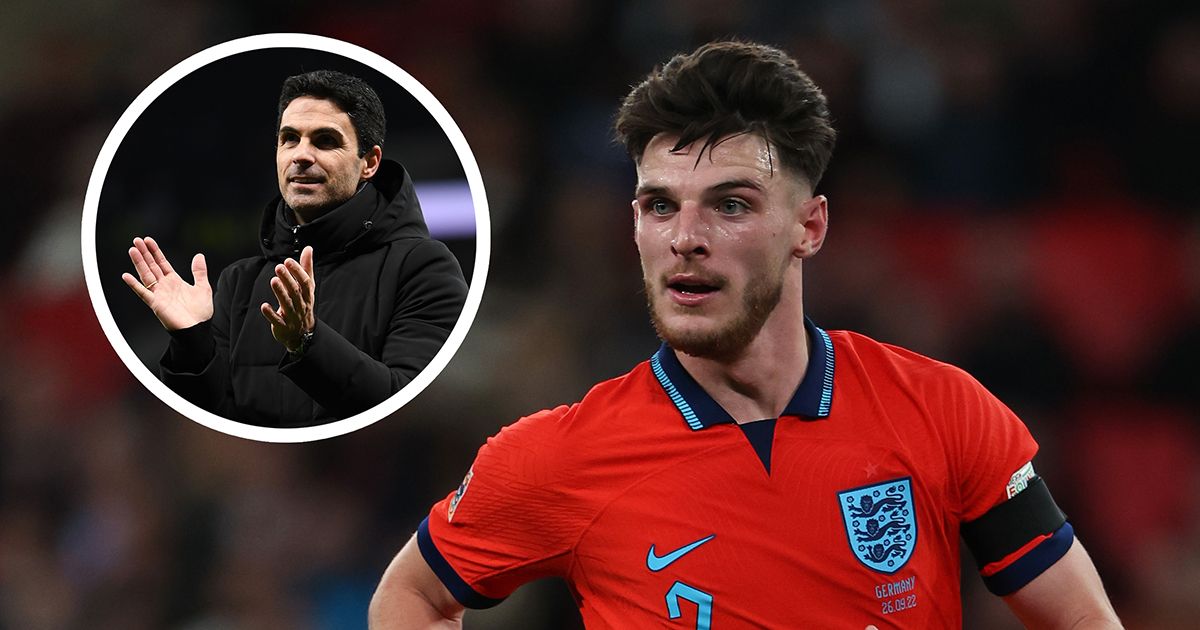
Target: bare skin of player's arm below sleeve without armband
column 412, row 597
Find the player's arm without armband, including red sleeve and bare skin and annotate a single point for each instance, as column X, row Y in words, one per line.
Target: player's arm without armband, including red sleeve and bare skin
column 491, row 536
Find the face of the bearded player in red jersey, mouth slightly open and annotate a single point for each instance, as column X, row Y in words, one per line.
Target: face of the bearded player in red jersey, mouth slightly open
column 717, row 239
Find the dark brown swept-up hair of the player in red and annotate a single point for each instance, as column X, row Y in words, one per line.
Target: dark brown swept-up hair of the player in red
column 729, row 88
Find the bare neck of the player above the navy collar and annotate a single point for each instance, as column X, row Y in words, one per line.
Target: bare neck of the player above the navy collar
column 760, row 382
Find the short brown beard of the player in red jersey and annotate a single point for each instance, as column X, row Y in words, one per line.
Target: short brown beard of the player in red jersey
column 729, row 340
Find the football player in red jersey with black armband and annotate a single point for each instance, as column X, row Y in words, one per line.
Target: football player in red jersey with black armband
column 758, row 471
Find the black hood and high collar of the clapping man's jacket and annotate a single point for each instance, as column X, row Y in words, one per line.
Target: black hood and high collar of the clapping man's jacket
column 386, row 209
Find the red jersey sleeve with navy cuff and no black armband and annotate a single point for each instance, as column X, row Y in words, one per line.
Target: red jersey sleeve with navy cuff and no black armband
column 514, row 519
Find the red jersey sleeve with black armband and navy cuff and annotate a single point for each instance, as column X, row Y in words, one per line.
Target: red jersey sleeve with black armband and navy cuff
column 1010, row 521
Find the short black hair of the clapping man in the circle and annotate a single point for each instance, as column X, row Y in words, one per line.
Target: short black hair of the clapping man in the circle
column 350, row 94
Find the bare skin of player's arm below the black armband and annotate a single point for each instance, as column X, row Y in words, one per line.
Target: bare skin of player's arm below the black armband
column 1069, row 595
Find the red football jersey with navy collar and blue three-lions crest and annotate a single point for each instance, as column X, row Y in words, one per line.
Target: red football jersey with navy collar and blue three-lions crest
column 661, row 512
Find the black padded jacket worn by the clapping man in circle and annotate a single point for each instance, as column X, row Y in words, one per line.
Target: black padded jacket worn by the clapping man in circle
column 387, row 297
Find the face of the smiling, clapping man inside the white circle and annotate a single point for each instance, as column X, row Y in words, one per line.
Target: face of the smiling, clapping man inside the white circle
column 316, row 158
